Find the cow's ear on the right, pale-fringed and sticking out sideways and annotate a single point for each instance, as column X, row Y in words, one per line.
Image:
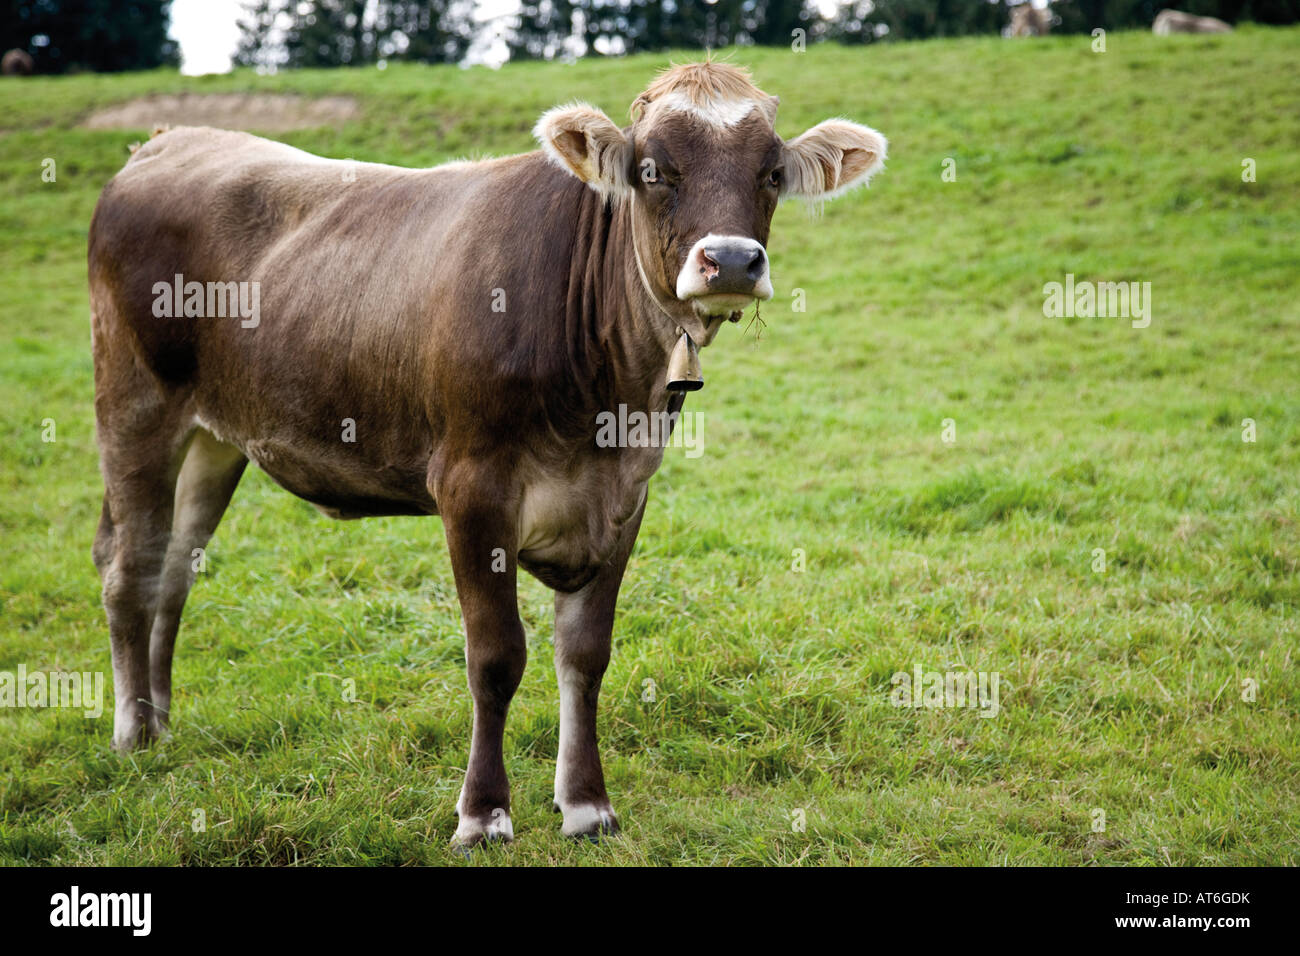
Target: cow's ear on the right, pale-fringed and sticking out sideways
column 833, row 158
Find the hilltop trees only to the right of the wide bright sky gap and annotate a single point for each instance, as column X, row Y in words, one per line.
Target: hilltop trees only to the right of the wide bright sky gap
column 333, row 33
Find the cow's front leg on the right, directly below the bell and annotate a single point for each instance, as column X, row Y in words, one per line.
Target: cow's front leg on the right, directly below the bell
column 584, row 622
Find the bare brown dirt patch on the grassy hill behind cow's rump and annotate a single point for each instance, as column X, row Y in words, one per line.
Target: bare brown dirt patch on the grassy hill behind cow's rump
column 232, row 111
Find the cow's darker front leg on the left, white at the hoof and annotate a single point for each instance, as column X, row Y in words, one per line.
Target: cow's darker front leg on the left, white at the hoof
column 482, row 538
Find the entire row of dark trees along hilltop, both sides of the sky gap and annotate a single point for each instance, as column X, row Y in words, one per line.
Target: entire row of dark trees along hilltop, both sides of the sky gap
column 133, row 34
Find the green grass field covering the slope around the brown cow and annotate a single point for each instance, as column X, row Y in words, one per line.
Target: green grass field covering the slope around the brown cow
column 1121, row 690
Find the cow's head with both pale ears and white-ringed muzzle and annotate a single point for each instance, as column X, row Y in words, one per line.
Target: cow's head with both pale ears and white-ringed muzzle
column 703, row 168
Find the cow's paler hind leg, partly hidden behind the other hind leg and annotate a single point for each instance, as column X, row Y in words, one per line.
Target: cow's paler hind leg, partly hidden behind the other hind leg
column 209, row 478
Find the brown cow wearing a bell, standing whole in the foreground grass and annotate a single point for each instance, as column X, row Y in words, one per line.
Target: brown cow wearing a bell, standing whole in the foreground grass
column 388, row 341
